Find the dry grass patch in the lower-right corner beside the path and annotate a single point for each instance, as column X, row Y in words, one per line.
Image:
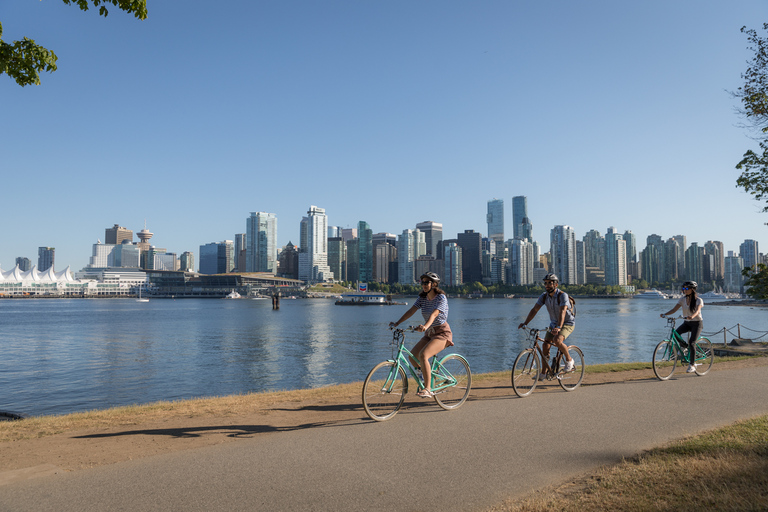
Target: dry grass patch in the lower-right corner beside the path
column 724, row 469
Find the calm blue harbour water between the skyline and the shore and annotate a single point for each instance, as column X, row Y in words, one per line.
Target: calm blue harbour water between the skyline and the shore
column 66, row 355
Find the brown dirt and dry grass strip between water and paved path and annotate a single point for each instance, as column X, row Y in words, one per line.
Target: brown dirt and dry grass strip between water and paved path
column 75, row 450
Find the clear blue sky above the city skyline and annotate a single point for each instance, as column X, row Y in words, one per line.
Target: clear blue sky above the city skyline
column 602, row 113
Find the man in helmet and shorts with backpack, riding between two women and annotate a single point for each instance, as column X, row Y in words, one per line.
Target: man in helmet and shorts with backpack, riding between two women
column 562, row 321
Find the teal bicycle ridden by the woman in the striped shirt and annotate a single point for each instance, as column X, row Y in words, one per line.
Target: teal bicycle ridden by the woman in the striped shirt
column 386, row 385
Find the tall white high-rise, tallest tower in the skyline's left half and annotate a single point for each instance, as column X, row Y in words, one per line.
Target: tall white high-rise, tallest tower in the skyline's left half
column 313, row 252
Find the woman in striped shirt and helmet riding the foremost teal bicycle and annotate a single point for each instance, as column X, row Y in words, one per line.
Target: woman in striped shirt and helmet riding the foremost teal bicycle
column 437, row 333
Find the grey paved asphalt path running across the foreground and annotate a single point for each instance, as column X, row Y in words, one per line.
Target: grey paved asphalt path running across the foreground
column 423, row 459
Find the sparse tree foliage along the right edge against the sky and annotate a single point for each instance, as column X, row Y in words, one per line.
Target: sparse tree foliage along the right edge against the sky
column 754, row 108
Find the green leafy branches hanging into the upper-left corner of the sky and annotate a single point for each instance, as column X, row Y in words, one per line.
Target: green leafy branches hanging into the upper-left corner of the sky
column 24, row 60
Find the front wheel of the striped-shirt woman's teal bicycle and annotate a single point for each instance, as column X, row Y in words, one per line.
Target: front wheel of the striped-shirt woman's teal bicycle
column 384, row 390
